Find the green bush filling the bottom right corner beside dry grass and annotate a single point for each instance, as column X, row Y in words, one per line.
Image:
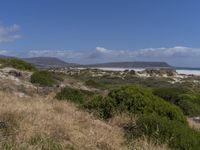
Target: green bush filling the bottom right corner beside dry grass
column 177, row 135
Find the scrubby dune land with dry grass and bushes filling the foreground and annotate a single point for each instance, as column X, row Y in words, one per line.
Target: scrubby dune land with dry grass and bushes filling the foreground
column 57, row 111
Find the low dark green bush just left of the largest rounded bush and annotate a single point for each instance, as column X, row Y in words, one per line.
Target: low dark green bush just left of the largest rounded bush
column 74, row 95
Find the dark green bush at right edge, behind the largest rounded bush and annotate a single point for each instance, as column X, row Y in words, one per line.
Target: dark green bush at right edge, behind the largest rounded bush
column 188, row 101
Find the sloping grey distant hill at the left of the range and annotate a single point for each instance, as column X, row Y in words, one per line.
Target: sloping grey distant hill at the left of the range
column 48, row 62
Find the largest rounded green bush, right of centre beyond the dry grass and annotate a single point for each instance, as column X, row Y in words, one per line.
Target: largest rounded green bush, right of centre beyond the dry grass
column 135, row 100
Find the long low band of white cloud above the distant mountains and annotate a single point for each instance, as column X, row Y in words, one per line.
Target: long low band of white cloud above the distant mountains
column 178, row 56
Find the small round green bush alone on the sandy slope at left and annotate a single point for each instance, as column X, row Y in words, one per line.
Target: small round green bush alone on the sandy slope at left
column 43, row 78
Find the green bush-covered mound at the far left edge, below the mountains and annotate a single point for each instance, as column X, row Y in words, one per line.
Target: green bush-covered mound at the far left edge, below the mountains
column 16, row 63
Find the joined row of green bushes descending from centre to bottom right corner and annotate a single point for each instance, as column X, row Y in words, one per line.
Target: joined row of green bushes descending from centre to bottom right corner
column 156, row 119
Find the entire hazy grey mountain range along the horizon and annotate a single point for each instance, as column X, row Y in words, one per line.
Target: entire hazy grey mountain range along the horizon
column 53, row 62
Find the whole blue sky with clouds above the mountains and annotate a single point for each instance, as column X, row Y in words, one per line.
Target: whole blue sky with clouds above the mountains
column 96, row 31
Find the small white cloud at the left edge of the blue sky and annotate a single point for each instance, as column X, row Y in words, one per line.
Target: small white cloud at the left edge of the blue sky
column 9, row 33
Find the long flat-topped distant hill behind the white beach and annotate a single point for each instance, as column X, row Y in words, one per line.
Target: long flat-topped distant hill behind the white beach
column 136, row 64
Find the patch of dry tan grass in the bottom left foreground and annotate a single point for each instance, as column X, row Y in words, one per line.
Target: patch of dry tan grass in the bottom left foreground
column 55, row 123
